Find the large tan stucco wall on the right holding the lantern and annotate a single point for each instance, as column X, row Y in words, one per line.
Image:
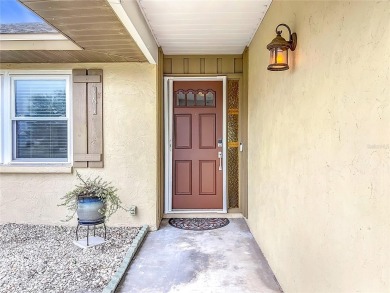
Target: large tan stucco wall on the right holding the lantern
column 319, row 147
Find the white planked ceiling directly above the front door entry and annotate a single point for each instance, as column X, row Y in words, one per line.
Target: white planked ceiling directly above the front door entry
column 194, row 27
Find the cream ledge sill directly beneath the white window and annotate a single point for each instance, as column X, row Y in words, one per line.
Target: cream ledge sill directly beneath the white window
column 36, row 169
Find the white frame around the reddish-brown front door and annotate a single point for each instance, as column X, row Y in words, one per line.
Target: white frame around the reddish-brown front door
column 168, row 136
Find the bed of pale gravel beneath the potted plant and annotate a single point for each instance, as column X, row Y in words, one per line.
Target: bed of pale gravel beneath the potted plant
column 40, row 258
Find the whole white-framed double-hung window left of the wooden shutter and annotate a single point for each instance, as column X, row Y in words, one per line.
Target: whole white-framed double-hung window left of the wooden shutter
column 38, row 125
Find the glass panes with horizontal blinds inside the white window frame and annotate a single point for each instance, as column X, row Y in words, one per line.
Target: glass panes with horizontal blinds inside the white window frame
column 40, row 123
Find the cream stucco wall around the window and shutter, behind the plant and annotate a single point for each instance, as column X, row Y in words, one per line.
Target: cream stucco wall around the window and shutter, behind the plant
column 129, row 123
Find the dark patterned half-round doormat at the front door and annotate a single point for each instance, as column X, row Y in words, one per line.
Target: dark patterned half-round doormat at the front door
column 198, row 224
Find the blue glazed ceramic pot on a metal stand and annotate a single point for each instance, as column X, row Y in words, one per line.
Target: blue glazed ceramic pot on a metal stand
column 88, row 210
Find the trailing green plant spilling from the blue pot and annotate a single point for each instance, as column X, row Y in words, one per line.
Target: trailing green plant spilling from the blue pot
column 97, row 187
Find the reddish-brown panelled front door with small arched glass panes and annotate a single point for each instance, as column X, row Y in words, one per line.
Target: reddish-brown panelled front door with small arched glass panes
column 197, row 145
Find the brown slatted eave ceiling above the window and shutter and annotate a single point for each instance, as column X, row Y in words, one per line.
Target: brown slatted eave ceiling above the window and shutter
column 90, row 24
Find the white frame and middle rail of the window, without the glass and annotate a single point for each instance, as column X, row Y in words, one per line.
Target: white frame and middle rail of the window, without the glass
column 7, row 109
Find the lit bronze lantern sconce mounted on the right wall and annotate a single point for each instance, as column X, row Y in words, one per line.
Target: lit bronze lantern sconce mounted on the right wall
column 278, row 48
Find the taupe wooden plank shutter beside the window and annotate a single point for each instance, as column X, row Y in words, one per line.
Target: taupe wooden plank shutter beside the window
column 88, row 118
